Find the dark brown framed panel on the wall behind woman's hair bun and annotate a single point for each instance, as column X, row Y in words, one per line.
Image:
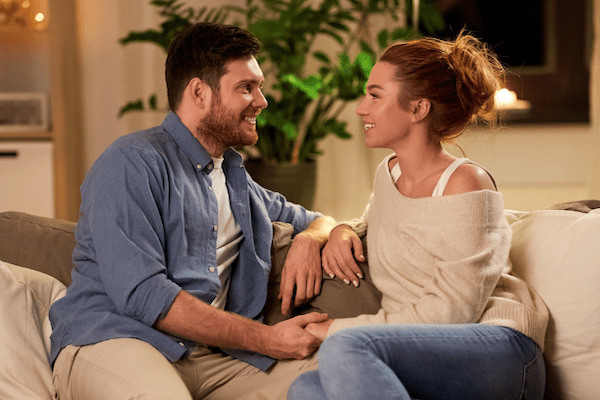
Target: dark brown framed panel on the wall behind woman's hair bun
column 545, row 45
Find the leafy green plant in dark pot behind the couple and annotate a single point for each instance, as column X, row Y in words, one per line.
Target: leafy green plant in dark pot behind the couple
column 305, row 101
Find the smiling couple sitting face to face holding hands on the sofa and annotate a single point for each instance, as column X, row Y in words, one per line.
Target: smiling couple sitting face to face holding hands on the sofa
column 173, row 252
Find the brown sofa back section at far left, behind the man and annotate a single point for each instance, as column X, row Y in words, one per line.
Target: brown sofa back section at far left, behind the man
column 39, row 243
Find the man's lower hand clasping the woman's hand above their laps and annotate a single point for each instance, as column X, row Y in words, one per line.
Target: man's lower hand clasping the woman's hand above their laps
column 291, row 340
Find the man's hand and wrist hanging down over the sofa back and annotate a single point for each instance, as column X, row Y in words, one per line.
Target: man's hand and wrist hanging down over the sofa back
column 302, row 268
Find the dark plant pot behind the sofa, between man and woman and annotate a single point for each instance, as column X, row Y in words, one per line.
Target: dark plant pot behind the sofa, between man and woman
column 296, row 182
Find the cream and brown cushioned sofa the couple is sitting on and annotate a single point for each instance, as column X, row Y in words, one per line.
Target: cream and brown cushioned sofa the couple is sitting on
column 557, row 251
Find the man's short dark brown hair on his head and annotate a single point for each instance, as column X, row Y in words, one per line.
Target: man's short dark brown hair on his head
column 201, row 51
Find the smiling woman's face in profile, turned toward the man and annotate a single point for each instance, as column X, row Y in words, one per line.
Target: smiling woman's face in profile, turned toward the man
column 386, row 123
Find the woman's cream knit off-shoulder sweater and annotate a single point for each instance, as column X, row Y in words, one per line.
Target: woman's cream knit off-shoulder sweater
column 444, row 260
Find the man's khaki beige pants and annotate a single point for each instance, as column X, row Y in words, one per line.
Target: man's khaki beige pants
column 133, row 369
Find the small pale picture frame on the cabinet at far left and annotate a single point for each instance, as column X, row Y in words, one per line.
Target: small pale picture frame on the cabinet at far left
column 23, row 112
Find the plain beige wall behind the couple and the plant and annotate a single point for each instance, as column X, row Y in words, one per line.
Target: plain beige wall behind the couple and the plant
column 536, row 166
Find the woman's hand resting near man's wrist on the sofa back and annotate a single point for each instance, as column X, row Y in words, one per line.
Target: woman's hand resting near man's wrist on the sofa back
column 340, row 253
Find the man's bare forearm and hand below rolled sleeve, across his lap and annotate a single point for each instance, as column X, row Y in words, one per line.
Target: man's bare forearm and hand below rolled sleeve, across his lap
column 192, row 319
